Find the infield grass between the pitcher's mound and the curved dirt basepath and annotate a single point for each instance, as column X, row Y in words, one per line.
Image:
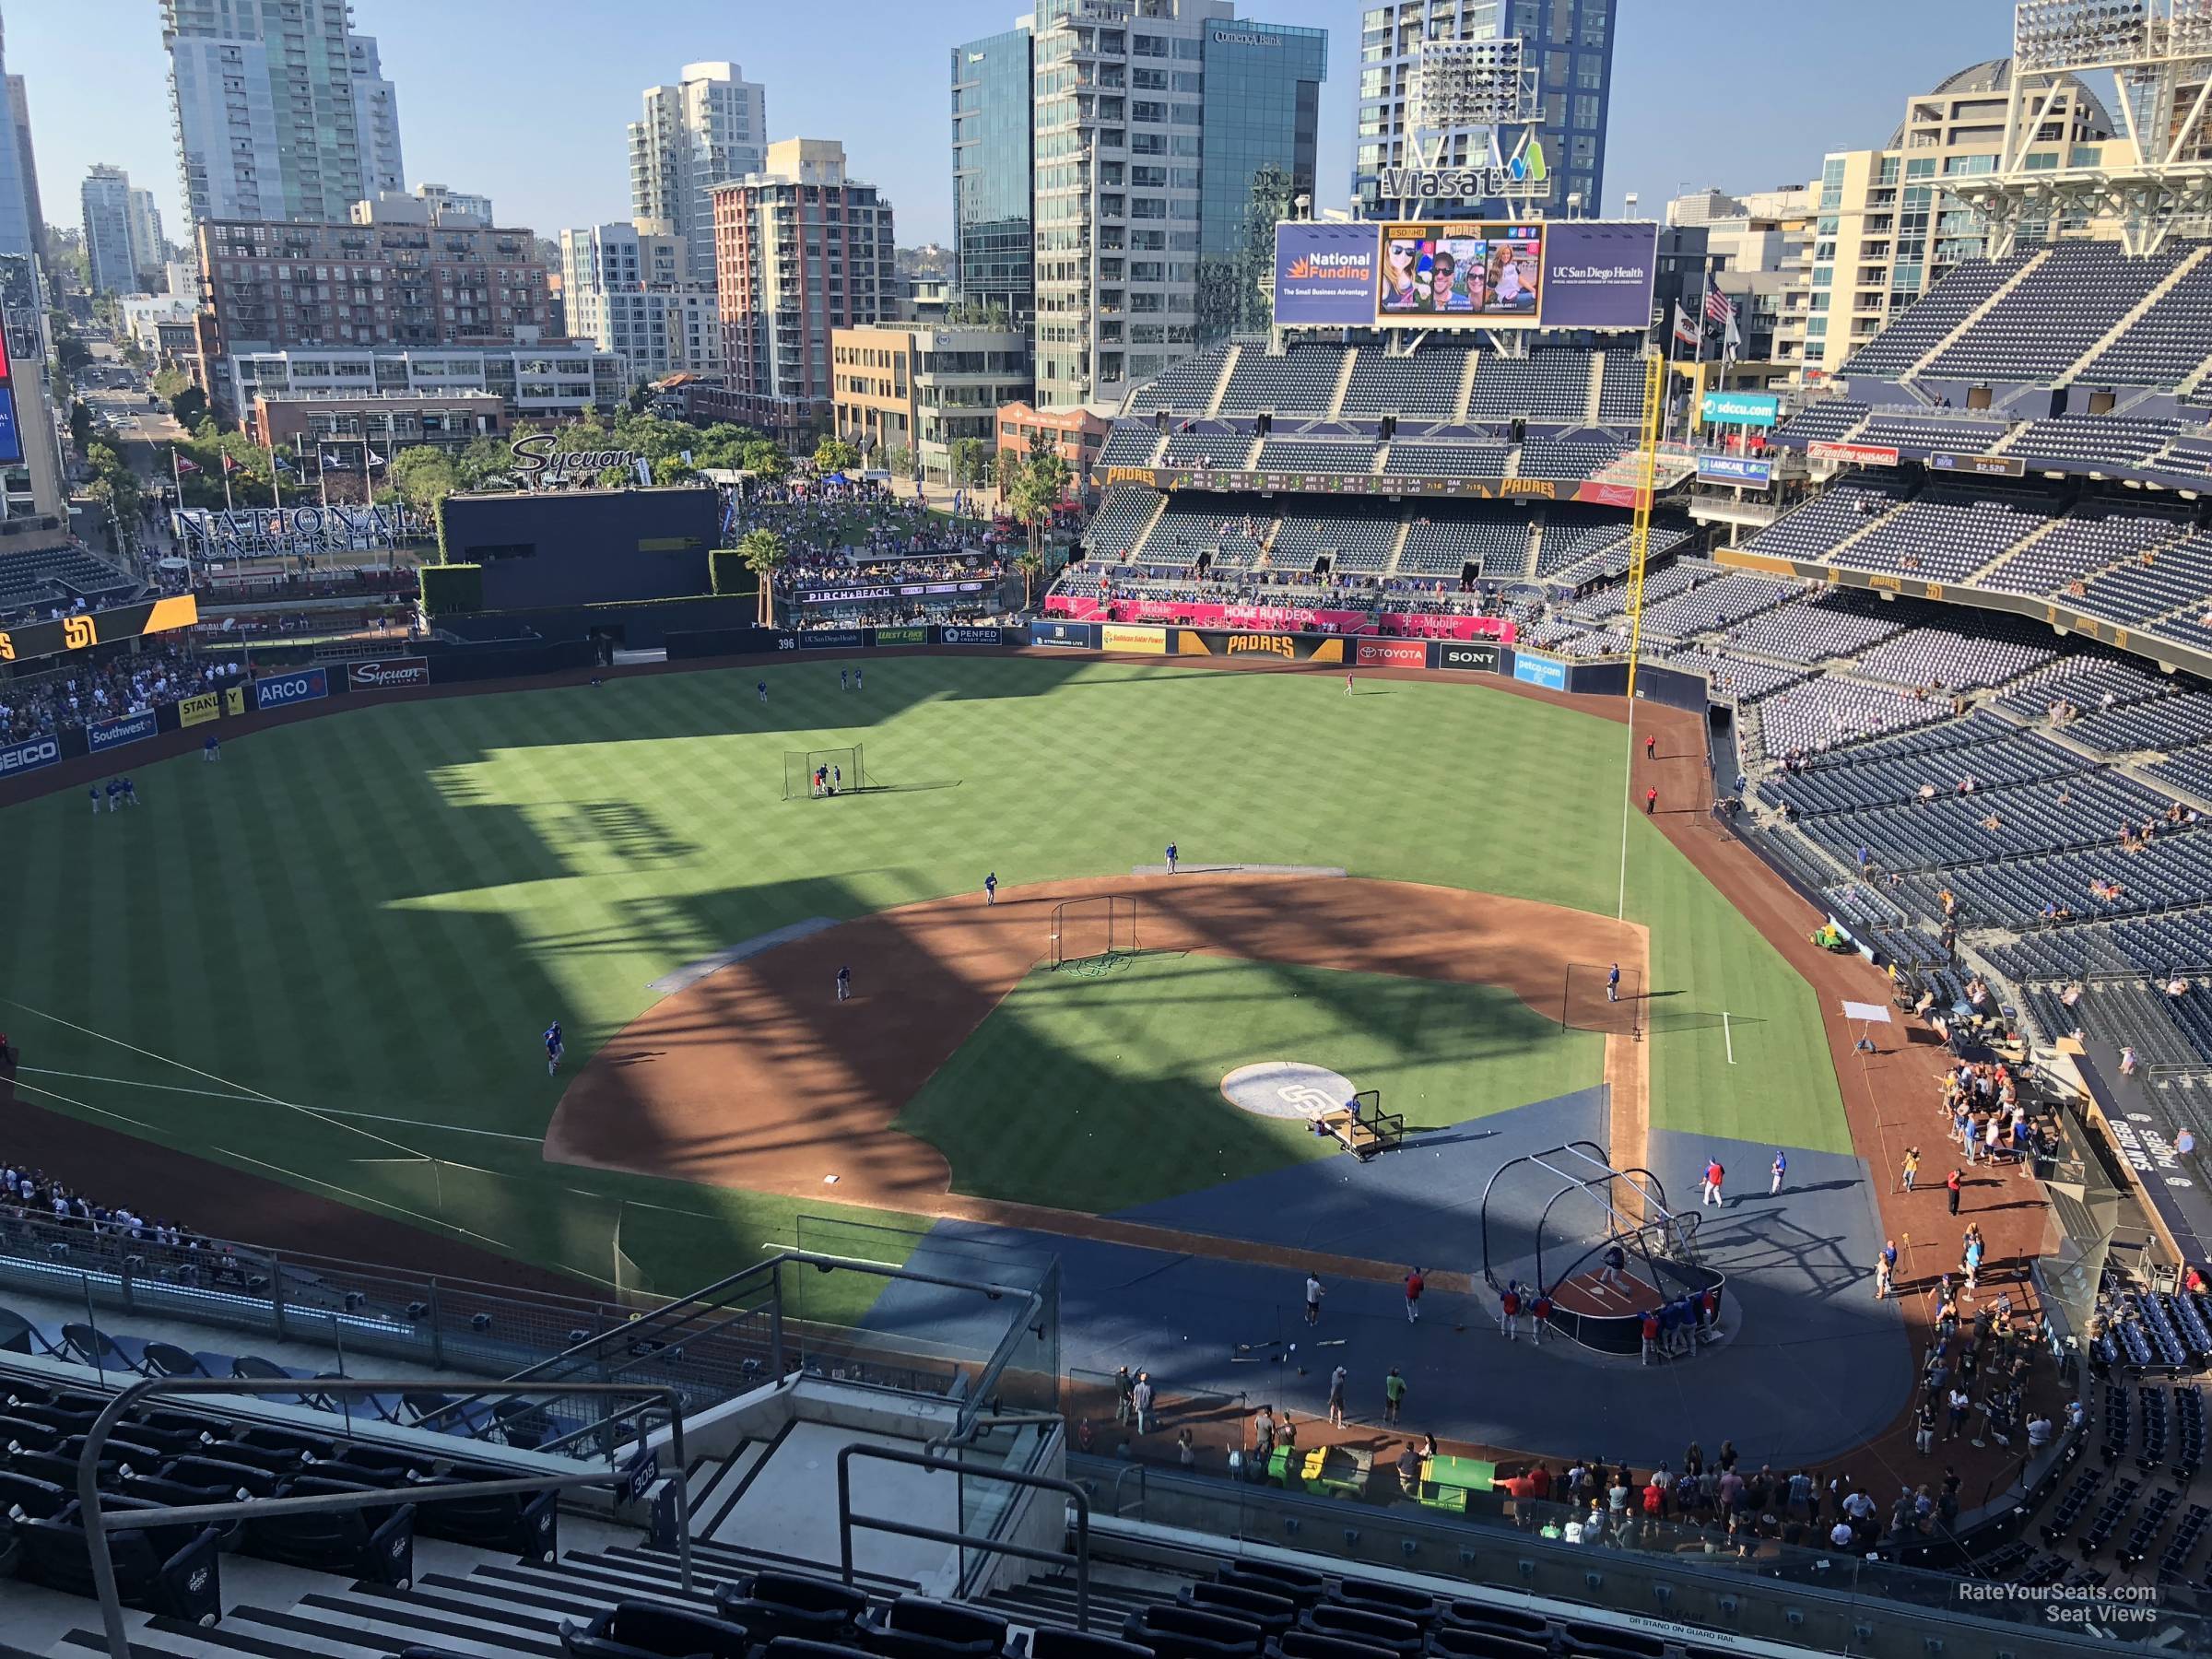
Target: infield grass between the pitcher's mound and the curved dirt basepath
column 1100, row 1094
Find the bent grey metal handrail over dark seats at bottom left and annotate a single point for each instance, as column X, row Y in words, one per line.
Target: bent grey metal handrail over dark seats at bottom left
column 98, row 1523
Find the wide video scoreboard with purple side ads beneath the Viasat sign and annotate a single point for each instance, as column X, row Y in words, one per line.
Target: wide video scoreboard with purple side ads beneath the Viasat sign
column 1465, row 273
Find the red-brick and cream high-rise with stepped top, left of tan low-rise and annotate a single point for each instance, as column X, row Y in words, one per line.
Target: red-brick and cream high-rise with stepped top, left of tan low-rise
column 800, row 251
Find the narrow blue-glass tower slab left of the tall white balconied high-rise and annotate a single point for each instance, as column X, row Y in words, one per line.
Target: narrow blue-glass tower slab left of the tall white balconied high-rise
column 994, row 258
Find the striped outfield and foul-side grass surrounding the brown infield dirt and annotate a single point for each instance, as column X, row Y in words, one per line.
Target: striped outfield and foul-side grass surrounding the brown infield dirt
column 379, row 912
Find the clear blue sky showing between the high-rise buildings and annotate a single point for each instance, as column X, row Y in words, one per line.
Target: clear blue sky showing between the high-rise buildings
column 528, row 98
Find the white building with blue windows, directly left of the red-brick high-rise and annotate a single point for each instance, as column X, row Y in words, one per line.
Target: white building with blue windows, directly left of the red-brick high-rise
column 625, row 291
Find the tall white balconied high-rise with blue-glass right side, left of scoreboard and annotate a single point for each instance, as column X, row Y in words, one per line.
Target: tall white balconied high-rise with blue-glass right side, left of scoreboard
column 1149, row 123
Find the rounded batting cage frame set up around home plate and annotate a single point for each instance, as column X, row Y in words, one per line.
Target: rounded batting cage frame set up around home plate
column 1596, row 1240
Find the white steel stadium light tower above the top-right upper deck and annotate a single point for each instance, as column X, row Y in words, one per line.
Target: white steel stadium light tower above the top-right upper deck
column 2158, row 56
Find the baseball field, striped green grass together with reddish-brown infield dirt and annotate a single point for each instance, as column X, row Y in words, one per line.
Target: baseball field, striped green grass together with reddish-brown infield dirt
column 331, row 957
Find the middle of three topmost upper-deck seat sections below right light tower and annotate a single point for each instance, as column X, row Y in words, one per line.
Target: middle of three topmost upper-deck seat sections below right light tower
column 2056, row 313
